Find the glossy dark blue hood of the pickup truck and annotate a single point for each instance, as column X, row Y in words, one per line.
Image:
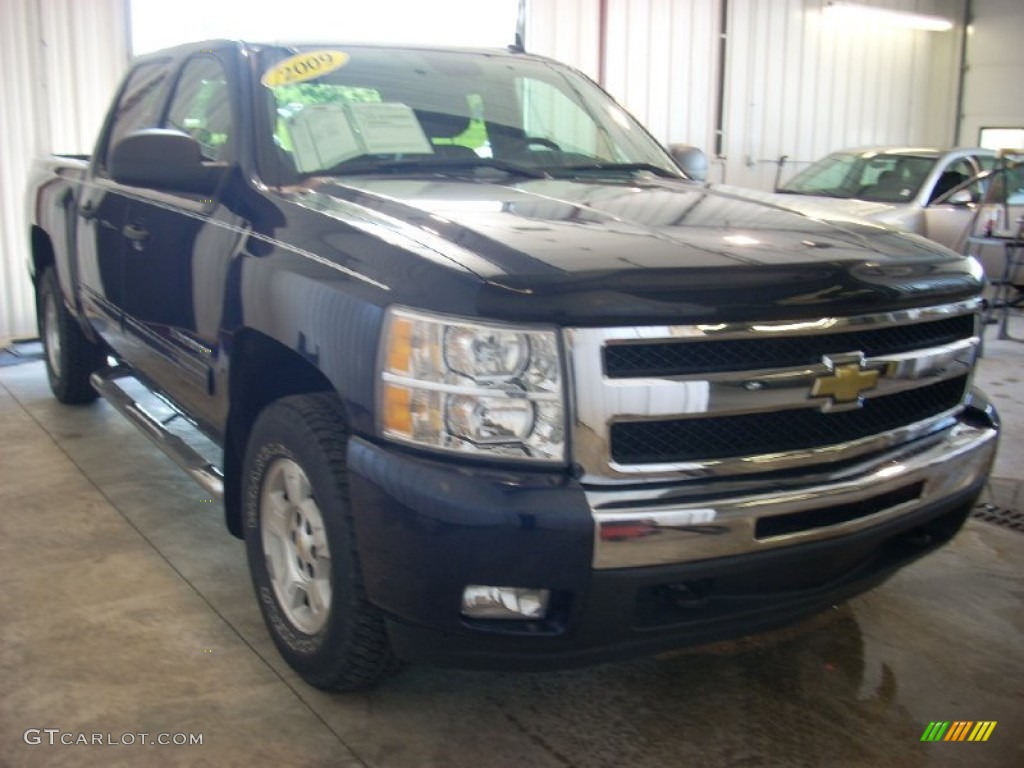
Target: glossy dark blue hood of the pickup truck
column 658, row 250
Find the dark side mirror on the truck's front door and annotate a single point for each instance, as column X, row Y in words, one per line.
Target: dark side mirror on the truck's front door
column 161, row 159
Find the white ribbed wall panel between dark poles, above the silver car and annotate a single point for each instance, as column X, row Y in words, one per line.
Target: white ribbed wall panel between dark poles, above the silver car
column 800, row 84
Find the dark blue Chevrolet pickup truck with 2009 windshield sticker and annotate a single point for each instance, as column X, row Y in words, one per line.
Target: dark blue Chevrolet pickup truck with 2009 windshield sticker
column 493, row 382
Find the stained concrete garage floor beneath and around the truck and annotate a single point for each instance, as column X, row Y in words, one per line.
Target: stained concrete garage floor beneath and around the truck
column 125, row 609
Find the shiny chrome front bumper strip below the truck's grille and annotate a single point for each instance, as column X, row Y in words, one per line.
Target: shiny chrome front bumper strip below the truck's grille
column 654, row 527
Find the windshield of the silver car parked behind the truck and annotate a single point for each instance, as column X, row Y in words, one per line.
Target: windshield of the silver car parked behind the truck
column 879, row 179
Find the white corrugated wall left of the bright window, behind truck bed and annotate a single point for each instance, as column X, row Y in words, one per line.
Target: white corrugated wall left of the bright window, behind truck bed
column 62, row 60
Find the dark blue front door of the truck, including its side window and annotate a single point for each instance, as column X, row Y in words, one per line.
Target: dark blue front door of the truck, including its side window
column 178, row 251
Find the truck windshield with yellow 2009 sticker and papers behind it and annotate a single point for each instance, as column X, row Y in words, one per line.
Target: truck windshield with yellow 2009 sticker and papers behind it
column 402, row 111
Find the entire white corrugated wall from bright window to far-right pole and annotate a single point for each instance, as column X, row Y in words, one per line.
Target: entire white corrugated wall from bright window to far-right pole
column 795, row 83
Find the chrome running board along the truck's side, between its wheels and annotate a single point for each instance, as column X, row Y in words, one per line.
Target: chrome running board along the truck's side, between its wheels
column 196, row 466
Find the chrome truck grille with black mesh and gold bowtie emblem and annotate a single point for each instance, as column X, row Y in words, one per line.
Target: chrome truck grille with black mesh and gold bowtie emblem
column 714, row 401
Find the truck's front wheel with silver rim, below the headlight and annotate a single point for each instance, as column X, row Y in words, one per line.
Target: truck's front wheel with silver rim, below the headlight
column 289, row 517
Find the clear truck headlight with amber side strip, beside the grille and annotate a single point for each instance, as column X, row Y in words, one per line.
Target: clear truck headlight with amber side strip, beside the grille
column 489, row 390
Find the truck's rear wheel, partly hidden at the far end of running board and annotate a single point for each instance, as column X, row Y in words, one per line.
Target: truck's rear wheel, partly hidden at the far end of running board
column 71, row 358
